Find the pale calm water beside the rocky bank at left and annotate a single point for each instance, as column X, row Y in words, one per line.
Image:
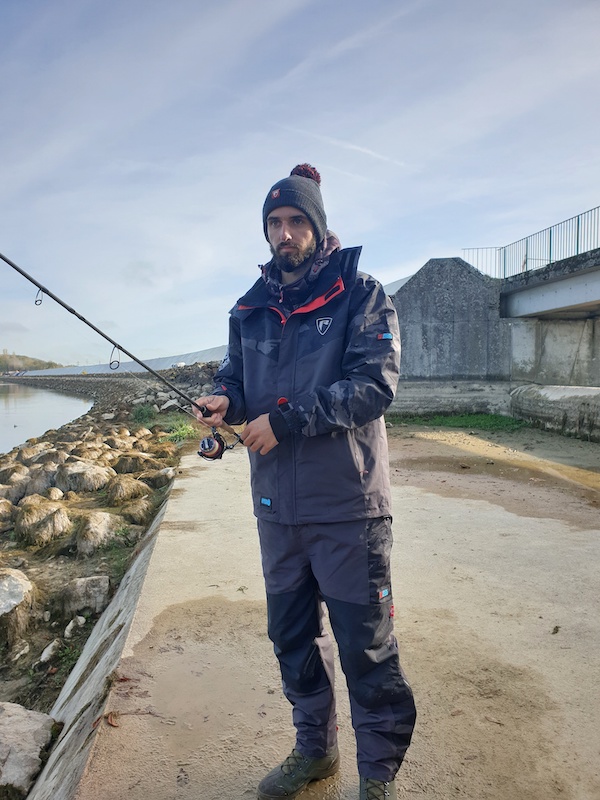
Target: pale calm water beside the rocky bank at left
column 26, row 412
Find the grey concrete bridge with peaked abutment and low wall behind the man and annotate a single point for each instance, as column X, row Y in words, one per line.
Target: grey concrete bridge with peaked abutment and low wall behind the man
column 528, row 345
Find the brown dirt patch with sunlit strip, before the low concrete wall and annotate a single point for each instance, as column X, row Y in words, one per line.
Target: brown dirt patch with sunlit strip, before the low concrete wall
column 529, row 472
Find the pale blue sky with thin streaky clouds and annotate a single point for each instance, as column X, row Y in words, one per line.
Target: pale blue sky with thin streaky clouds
column 139, row 139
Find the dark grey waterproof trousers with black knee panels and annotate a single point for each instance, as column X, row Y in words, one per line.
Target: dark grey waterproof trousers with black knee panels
column 347, row 566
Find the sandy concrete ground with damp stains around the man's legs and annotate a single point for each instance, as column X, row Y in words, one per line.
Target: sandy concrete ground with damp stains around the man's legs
column 497, row 597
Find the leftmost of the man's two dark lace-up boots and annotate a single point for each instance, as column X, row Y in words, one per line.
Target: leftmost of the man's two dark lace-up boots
column 294, row 774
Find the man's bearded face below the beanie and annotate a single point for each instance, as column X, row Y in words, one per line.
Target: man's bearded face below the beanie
column 292, row 240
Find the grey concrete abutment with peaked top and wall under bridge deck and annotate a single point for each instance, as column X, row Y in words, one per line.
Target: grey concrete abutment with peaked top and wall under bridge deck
column 451, row 328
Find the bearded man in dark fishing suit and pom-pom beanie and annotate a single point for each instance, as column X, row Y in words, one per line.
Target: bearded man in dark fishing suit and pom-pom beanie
column 312, row 365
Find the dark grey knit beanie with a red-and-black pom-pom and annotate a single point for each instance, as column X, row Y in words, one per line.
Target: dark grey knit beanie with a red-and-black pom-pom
column 301, row 190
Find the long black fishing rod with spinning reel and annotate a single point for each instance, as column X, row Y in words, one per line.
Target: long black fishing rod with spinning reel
column 212, row 447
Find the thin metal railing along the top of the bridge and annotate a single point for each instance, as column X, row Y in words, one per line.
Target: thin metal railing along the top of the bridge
column 569, row 238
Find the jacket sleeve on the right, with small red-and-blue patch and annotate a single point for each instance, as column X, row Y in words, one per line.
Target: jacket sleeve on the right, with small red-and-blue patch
column 370, row 368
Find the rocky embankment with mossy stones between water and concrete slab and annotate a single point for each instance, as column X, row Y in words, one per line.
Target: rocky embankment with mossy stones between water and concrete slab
column 78, row 508
